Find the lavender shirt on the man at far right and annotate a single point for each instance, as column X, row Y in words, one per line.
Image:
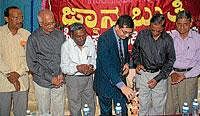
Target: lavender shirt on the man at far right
column 187, row 52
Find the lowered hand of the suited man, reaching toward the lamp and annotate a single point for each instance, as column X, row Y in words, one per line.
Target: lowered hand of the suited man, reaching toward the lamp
column 128, row 92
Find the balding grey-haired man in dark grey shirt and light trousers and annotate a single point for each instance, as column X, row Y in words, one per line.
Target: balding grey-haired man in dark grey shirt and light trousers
column 43, row 59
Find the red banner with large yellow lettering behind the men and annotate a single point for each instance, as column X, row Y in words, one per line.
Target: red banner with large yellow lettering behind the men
column 99, row 15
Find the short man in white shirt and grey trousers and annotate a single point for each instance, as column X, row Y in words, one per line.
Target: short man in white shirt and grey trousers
column 78, row 62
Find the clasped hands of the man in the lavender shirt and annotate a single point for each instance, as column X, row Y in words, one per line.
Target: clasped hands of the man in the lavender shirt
column 176, row 78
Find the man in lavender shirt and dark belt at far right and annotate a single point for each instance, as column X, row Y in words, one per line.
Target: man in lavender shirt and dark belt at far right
column 183, row 82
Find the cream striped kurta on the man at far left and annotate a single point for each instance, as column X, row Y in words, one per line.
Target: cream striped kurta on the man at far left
column 12, row 58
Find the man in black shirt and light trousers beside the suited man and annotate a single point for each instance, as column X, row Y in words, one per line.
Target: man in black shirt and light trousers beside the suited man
column 154, row 56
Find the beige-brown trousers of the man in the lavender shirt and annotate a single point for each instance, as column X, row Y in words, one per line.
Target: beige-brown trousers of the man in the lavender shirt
column 185, row 91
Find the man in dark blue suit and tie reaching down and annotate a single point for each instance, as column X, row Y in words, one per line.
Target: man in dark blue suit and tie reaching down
column 112, row 66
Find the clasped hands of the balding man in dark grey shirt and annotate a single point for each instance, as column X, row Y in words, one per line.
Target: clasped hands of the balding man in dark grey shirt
column 57, row 81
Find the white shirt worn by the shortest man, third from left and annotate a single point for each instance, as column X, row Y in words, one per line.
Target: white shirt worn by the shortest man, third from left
column 72, row 55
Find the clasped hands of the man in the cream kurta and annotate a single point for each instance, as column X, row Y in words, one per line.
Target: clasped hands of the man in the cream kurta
column 13, row 78
